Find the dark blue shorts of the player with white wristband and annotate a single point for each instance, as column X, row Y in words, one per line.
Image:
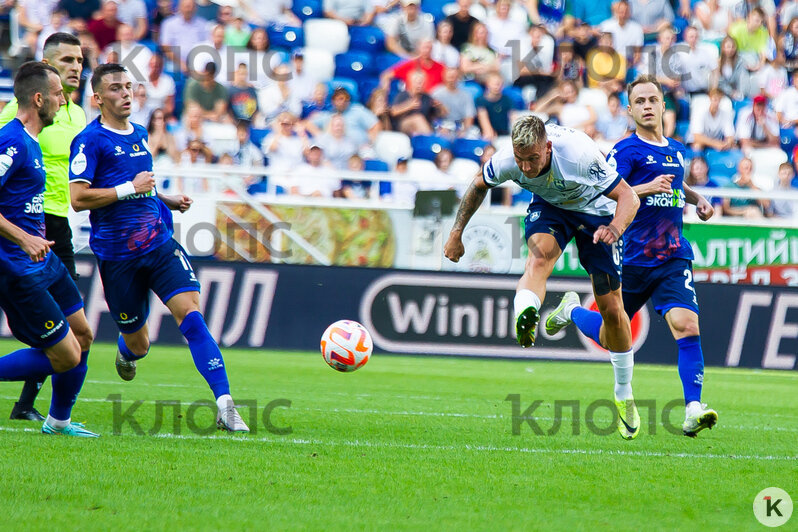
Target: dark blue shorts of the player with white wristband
column 127, row 283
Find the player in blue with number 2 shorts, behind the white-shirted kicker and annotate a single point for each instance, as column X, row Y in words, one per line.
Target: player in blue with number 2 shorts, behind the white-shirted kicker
column 657, row 262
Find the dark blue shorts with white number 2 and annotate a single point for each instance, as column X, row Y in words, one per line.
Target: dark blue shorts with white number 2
column 668, row 285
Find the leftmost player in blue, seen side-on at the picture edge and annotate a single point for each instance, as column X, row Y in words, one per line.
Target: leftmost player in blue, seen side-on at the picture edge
column 41, row 302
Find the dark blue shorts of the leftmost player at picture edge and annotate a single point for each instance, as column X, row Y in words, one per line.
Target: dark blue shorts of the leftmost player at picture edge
column 37, row 304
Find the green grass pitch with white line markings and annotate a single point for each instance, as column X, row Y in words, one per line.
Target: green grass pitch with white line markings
column 404, row 443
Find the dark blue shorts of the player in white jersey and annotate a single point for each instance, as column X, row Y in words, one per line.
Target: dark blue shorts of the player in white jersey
column 564, row 225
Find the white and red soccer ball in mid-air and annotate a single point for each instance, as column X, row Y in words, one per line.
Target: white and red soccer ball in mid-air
column 346, row 345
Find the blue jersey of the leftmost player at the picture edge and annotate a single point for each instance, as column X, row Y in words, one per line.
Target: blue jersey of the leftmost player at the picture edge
column 22, row 177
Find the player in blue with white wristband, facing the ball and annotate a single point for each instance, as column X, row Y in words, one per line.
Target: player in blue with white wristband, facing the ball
column 131, row 235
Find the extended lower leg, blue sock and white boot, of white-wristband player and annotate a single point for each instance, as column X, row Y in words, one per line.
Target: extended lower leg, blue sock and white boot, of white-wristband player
column 210, row 363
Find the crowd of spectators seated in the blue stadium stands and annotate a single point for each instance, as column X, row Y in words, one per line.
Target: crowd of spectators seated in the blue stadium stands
column 282, row 91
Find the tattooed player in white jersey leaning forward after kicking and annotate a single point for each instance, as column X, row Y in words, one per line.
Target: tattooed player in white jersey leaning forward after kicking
column 578, row 195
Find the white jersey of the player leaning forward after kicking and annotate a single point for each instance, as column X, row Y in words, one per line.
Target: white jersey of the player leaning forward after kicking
column 578, row 177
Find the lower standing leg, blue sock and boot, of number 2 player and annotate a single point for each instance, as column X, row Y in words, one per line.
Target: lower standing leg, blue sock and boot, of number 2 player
column 691, row 372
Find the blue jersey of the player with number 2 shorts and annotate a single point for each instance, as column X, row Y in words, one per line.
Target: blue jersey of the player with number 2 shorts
column 655, row 236
